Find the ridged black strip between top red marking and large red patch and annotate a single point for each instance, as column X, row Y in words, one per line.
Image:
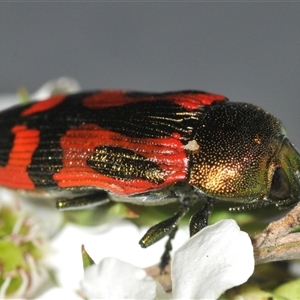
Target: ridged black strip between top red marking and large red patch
column 147, row 119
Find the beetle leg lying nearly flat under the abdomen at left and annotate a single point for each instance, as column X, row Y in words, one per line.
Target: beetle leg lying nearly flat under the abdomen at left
column 83, row 201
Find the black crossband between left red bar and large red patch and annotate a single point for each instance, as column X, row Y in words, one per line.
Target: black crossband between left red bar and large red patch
column 53, row 124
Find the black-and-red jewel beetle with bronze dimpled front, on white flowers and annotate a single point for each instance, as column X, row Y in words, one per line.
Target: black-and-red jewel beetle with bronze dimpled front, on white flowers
column 89, row 148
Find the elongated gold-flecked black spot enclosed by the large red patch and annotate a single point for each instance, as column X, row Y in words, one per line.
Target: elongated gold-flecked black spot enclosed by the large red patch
column 124, row 164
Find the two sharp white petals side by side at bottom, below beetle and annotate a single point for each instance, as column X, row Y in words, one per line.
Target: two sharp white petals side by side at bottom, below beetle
column 217, row 258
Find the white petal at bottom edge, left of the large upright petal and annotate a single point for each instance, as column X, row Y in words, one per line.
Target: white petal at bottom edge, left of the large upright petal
column 115, row 279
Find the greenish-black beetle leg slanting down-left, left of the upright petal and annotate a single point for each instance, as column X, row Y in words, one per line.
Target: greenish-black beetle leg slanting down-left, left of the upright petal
column 164, row 228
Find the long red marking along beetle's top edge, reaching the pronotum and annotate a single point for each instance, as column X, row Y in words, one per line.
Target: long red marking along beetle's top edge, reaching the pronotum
column 112, row 98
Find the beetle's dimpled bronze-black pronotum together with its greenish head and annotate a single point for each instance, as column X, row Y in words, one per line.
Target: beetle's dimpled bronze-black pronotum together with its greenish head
column 244, row 156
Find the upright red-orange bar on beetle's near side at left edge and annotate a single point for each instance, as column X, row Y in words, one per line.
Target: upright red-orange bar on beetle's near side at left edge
column 14, row 174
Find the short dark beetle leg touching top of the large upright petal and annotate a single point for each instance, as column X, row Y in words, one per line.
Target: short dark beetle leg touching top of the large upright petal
column 200, row 219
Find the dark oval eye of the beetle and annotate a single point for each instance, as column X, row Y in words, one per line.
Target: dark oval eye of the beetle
column 280, row 188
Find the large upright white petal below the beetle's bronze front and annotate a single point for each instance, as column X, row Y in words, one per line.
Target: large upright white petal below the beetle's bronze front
column 217, row 258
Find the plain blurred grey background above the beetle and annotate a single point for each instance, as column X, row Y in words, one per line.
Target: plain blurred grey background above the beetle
column 248, row 51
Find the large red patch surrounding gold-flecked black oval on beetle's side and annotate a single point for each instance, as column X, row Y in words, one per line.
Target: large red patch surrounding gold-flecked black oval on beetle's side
column 79, row 143
